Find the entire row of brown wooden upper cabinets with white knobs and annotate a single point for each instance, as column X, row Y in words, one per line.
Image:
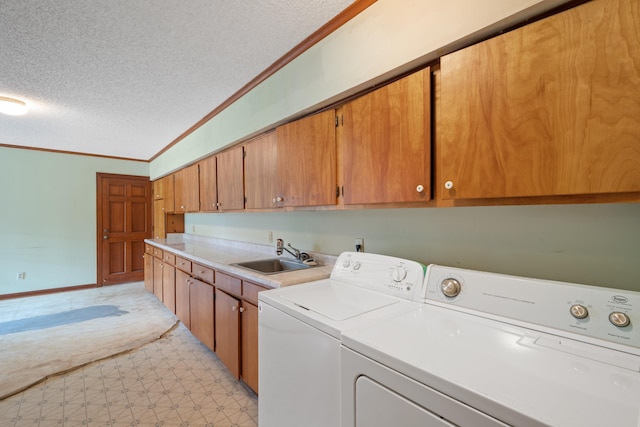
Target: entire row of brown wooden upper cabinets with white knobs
column 551, row 109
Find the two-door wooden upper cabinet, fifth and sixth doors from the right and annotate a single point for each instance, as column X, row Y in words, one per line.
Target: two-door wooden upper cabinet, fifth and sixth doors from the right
column 222, row 181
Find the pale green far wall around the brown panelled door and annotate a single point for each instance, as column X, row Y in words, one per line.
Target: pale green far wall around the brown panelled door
column 48, row 217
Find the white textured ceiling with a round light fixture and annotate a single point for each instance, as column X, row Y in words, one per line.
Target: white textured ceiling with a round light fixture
column 125, row 78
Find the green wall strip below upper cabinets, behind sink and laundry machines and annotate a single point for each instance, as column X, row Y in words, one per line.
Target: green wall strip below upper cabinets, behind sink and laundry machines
column 589, row 244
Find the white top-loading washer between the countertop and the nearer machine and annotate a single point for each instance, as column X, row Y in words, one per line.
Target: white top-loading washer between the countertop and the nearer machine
column 299, row 330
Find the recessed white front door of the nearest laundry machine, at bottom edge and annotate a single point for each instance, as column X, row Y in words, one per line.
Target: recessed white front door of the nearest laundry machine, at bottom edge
column 378, row 406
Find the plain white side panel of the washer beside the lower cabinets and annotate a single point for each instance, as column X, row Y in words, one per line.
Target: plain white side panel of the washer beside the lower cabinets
column 292, row 393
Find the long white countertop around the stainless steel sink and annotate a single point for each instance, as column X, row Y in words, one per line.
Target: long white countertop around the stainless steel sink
column 219, row 254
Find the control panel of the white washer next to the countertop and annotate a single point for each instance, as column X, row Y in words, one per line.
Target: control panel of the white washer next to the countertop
column 389, row 275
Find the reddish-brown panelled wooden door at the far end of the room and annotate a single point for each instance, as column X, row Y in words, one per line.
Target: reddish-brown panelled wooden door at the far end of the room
column 123, row 222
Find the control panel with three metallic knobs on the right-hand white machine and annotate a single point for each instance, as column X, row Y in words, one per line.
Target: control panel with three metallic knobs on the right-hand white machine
column 597, row 312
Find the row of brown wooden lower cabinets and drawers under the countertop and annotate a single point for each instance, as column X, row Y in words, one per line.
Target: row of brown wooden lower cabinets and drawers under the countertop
column 220, row 310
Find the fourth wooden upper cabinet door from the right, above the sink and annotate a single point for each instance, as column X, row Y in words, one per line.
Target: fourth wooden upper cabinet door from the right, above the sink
column 260, row 171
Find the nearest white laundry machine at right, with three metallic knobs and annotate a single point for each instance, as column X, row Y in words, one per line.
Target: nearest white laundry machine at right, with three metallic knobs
column 505, row 350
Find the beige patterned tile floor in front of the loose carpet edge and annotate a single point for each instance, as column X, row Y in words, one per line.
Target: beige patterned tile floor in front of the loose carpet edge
column 174, row 381
